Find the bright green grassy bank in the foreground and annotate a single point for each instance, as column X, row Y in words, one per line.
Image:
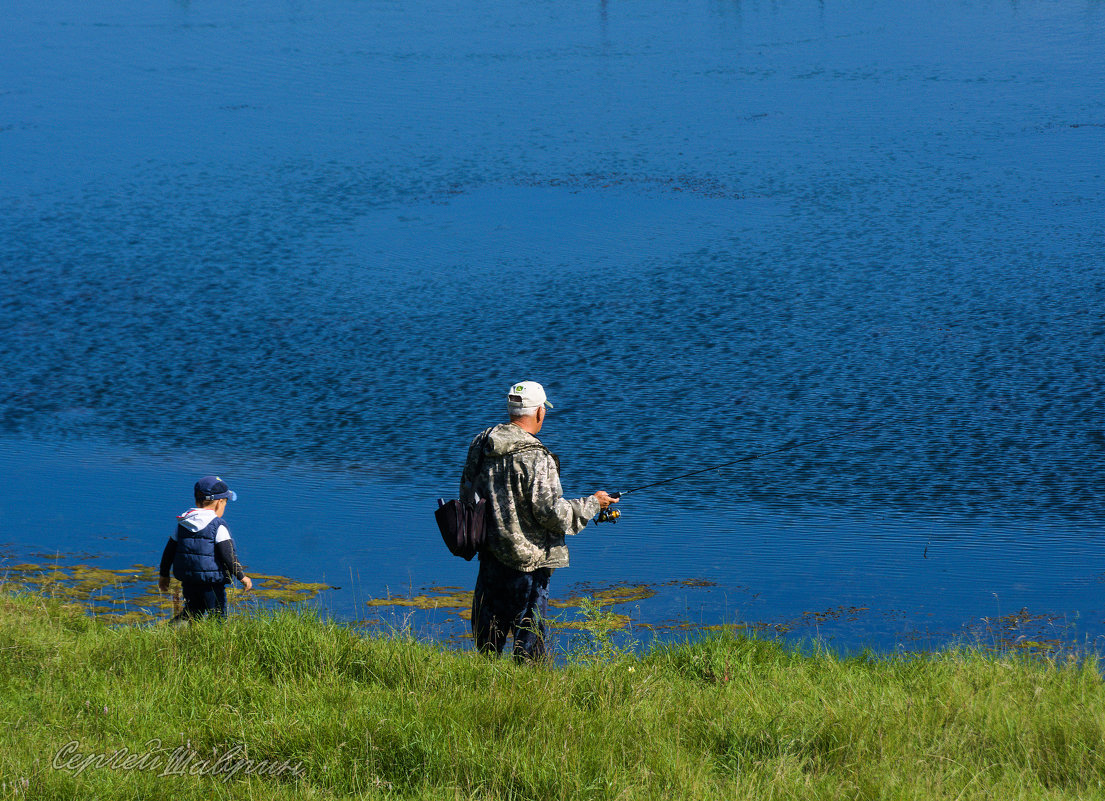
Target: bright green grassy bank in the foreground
column 285, row 705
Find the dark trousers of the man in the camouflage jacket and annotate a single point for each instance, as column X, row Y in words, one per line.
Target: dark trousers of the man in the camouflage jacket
column 510, row 602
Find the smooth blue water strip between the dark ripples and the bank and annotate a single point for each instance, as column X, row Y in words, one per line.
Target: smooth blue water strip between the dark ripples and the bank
column 856, row 583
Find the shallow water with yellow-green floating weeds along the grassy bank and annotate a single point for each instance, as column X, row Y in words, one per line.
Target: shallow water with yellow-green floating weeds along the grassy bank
column 129, row 596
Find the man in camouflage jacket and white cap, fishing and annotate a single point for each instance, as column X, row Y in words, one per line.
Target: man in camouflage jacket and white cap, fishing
column 528, row 520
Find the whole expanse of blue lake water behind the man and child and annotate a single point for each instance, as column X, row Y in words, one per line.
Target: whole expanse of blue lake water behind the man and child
column 309, row 246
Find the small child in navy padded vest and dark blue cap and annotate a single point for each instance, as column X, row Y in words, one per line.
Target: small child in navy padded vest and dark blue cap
column 202, row 552
